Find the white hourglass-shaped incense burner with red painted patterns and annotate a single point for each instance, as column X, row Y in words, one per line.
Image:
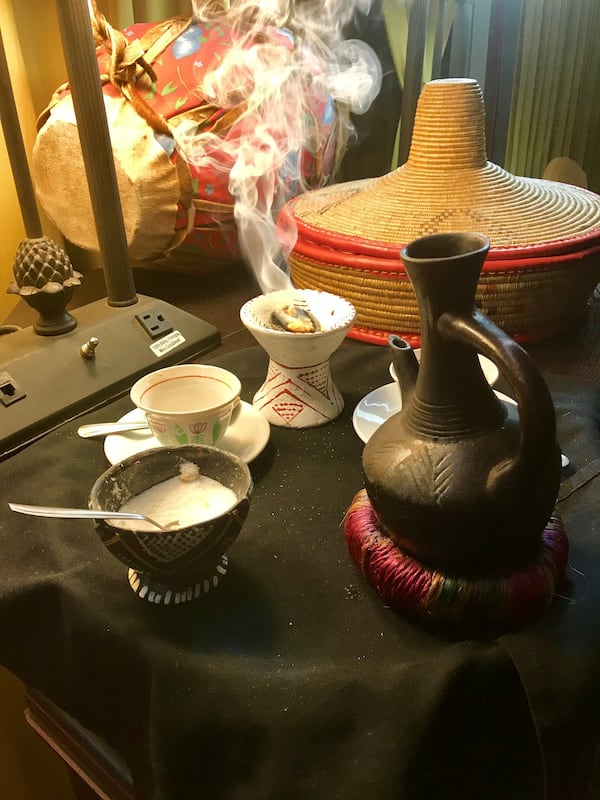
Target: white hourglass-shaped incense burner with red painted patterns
column 298, row 391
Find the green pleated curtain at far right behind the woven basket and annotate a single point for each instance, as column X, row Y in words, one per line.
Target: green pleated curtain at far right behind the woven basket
column 555, row 109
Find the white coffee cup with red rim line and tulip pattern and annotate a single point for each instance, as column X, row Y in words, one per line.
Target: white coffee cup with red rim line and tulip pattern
column 188, row 403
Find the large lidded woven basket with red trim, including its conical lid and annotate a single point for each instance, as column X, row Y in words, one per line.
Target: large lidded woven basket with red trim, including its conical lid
column 544, row 260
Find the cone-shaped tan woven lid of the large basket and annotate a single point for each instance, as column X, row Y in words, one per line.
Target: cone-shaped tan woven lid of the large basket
column 447, row 184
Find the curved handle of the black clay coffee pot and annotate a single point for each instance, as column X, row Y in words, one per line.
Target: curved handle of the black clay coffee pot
column 527, row 387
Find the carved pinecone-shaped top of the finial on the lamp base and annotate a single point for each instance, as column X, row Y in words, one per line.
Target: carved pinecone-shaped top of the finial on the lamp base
column 40, row 265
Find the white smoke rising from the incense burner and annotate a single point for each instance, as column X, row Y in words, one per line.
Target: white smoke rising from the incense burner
column 289, row 59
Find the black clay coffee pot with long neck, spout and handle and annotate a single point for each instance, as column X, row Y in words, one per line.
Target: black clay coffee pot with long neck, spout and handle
column 459, row 478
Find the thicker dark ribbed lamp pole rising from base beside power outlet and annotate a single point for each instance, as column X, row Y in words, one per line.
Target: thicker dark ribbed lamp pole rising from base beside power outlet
column 86, row 89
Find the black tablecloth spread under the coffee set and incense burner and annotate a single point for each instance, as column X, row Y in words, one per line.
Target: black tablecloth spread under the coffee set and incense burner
column 292, row 679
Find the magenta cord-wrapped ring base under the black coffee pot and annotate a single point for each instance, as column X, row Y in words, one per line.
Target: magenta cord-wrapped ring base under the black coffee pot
column 504, row 600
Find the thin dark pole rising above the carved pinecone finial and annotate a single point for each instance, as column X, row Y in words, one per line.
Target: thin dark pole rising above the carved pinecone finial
column 16, row 152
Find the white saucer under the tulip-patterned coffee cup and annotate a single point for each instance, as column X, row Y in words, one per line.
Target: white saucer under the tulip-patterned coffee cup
column 247, row 437
